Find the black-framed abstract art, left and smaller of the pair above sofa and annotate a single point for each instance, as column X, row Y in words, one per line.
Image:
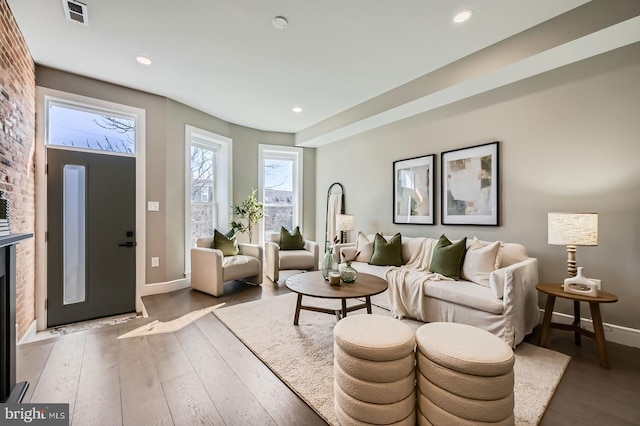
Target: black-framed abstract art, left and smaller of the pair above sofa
column 414, row 190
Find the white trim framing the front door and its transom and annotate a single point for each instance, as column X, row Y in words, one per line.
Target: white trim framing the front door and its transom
column 43, row 97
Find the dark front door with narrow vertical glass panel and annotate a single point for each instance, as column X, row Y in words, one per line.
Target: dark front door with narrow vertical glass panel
column 91, row 256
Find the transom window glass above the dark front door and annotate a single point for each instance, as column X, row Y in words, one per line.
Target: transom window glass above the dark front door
column 86, row 129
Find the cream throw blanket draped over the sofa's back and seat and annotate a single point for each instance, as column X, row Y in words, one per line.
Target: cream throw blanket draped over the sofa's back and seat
column 407, row 282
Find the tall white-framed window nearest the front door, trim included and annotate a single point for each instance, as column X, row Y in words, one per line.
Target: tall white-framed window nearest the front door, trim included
column 208, row 186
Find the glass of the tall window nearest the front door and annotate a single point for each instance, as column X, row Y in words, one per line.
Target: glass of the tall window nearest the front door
column 203, row 207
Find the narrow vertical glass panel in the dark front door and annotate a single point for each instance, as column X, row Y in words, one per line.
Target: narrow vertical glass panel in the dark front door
column 73, row 216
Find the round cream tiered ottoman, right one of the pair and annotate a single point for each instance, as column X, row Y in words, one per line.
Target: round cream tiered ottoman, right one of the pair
column 465, row 376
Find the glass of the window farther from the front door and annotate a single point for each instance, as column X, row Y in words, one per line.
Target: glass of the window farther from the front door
column 278, row 195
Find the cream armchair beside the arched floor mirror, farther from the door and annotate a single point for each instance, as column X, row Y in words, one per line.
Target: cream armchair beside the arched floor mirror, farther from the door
column 278, row 260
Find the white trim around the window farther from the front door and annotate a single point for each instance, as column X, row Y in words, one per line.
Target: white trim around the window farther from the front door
column 285, row 152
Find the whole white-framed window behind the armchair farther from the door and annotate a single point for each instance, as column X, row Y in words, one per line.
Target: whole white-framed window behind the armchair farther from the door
column 280, row 187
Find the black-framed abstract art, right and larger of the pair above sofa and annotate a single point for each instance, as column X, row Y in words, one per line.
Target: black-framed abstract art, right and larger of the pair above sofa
column 470, row 185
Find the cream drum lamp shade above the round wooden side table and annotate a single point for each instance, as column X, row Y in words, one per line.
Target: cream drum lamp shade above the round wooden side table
column 577, row 229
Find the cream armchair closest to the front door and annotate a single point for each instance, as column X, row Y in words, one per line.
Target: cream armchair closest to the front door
column 210, row 269
